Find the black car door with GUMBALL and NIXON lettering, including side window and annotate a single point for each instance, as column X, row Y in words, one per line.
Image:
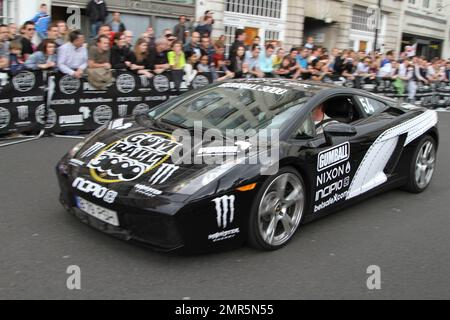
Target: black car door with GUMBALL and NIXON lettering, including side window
column 332, row 163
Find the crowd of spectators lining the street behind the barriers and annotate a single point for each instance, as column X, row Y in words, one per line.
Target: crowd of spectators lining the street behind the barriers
column 189, row 48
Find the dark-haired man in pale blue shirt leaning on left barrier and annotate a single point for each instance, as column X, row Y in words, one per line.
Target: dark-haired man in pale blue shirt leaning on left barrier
column 73, row 56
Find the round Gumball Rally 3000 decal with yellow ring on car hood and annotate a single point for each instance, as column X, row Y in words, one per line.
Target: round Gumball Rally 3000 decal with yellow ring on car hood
column 132, row 157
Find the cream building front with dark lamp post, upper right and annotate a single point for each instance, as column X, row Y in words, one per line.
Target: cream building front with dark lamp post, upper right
column 353, row 24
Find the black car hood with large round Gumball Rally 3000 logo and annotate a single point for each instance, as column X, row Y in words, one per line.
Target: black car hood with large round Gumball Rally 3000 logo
column 139, row 159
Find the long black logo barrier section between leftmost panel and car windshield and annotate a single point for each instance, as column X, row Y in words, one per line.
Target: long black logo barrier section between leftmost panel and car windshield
column 76, row 106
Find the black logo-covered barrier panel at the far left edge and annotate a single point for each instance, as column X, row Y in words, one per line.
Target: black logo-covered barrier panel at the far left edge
column 22, row 103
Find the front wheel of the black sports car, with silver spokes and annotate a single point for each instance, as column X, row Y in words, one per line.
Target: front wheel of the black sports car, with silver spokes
column 277, row 211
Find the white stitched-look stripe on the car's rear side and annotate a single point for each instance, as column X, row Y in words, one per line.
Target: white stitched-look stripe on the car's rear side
column 370, row 173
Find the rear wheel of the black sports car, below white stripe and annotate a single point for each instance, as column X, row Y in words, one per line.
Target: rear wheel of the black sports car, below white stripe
column 422, row 167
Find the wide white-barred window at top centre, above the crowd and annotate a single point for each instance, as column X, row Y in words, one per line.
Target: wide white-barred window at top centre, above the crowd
column 262, row 8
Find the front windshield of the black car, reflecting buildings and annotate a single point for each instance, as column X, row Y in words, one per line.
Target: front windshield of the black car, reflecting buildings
column 234, row 106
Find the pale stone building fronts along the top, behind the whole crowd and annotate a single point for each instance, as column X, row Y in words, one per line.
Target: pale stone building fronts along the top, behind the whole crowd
column 333, row 23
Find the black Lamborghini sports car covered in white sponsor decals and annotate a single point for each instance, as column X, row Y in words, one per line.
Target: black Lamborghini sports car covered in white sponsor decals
column 303, row 151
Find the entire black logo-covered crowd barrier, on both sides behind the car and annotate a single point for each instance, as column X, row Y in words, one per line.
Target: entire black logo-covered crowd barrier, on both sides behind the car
column 74, row 105
